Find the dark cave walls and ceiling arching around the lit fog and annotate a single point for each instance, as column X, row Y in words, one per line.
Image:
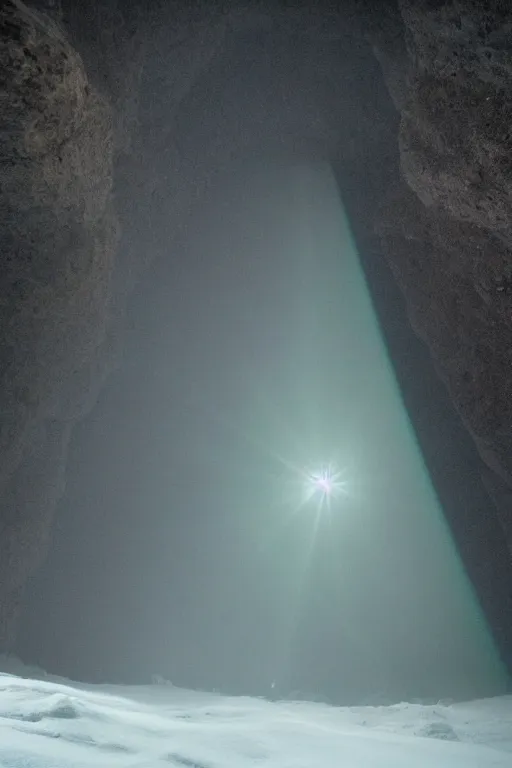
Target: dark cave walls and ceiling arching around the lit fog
column 106, row 144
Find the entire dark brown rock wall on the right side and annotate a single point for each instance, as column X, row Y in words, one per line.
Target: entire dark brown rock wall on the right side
column 447, row 228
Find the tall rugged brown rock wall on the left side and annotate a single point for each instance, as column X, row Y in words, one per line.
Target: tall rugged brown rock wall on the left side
column 58, row 236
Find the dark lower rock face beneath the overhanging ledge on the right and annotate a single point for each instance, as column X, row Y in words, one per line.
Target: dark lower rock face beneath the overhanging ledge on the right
column 450, row 273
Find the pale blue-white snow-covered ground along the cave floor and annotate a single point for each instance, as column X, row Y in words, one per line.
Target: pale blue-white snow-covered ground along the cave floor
column 51, row 723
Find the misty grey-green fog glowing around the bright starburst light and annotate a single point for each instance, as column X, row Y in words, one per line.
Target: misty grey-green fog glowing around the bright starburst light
column 184, row 545
